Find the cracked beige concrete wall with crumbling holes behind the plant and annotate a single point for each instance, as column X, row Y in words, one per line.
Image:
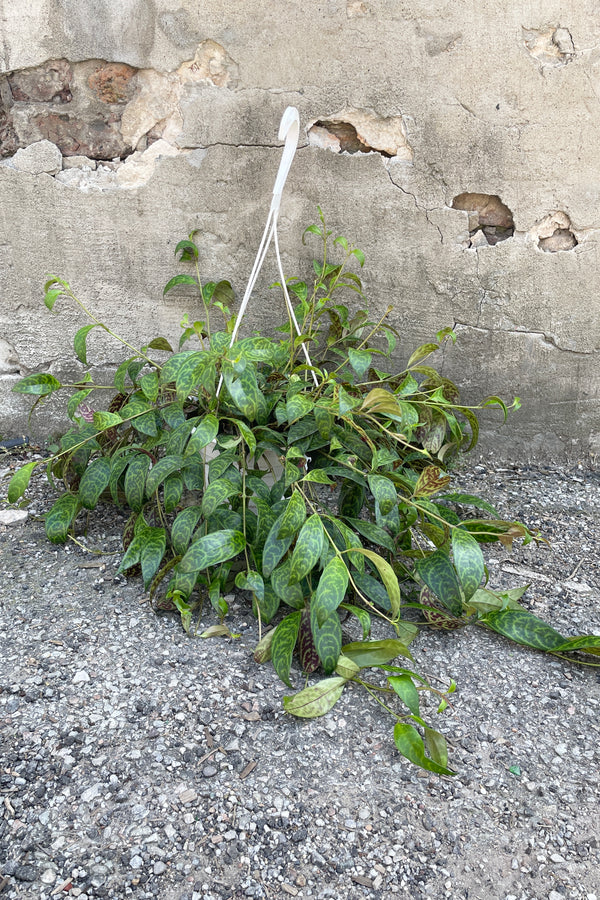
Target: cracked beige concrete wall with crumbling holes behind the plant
column 407, row 109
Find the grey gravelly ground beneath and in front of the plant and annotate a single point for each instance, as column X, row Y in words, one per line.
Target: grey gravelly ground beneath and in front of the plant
column 137, row 762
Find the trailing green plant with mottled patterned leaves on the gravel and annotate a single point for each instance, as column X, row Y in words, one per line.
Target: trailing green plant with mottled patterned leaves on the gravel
column 297, row 468
